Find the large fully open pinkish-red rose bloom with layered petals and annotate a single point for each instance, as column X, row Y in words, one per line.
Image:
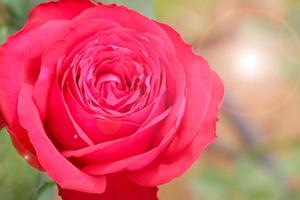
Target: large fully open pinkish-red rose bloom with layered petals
column 109, row 103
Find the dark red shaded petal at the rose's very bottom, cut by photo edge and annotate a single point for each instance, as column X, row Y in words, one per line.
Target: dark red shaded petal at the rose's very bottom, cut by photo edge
column 118, row 188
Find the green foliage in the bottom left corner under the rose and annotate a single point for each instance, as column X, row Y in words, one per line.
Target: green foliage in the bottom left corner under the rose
column 19, row 181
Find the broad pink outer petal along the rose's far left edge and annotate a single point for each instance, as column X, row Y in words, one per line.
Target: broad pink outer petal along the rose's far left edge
column 15, row 59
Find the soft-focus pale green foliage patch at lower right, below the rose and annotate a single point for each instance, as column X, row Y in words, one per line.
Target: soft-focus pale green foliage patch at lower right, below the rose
column 249, row 181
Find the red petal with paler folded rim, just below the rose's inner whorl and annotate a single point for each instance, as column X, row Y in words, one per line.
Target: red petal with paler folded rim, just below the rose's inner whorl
column 134, row 144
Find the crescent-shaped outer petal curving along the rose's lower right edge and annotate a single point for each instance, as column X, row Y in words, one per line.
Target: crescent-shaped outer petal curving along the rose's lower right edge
column 169, row 166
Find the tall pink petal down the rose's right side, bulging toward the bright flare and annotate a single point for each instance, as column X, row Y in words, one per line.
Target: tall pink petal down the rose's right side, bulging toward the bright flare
column 202, row 85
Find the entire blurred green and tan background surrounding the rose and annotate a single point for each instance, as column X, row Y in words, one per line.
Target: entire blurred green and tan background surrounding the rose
column 254, row 45
